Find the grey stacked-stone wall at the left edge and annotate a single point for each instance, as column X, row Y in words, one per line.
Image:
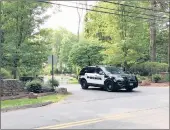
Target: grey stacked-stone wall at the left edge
column 10, row 87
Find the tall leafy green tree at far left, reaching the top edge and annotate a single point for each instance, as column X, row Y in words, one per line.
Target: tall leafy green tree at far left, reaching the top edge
column 19, row 20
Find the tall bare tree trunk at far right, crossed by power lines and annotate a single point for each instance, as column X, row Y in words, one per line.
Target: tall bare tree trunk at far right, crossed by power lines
column 153, row 34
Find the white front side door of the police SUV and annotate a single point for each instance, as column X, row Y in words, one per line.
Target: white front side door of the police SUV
column 99, row 76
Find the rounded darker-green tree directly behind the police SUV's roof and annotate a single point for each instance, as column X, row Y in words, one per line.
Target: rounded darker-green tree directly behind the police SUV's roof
column 86, row 53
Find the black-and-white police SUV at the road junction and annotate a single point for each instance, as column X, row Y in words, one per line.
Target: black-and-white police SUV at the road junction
column 110, row 78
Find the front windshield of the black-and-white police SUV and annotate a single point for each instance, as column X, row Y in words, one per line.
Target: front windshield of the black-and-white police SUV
column 112, row 70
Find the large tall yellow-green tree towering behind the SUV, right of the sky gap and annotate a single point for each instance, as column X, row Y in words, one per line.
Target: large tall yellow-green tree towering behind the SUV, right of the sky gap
column 125, row 38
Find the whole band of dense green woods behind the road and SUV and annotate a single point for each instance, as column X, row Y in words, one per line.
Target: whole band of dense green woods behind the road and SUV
column 112, row 39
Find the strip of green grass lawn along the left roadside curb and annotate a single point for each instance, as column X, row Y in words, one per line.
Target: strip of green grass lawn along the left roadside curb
column 26, row 101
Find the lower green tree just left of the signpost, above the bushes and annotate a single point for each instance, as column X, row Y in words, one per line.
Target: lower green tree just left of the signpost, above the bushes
column 35, row 53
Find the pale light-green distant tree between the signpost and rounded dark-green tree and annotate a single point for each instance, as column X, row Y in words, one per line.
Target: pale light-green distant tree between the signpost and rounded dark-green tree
column 63, row 43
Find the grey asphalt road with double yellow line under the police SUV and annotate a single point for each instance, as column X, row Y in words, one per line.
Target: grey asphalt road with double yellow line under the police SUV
column 145, row 108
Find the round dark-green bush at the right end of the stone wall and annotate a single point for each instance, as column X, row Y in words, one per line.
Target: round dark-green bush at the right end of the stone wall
column 34, row 86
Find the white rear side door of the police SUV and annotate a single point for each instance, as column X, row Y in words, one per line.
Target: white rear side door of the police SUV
column 90, row 75
